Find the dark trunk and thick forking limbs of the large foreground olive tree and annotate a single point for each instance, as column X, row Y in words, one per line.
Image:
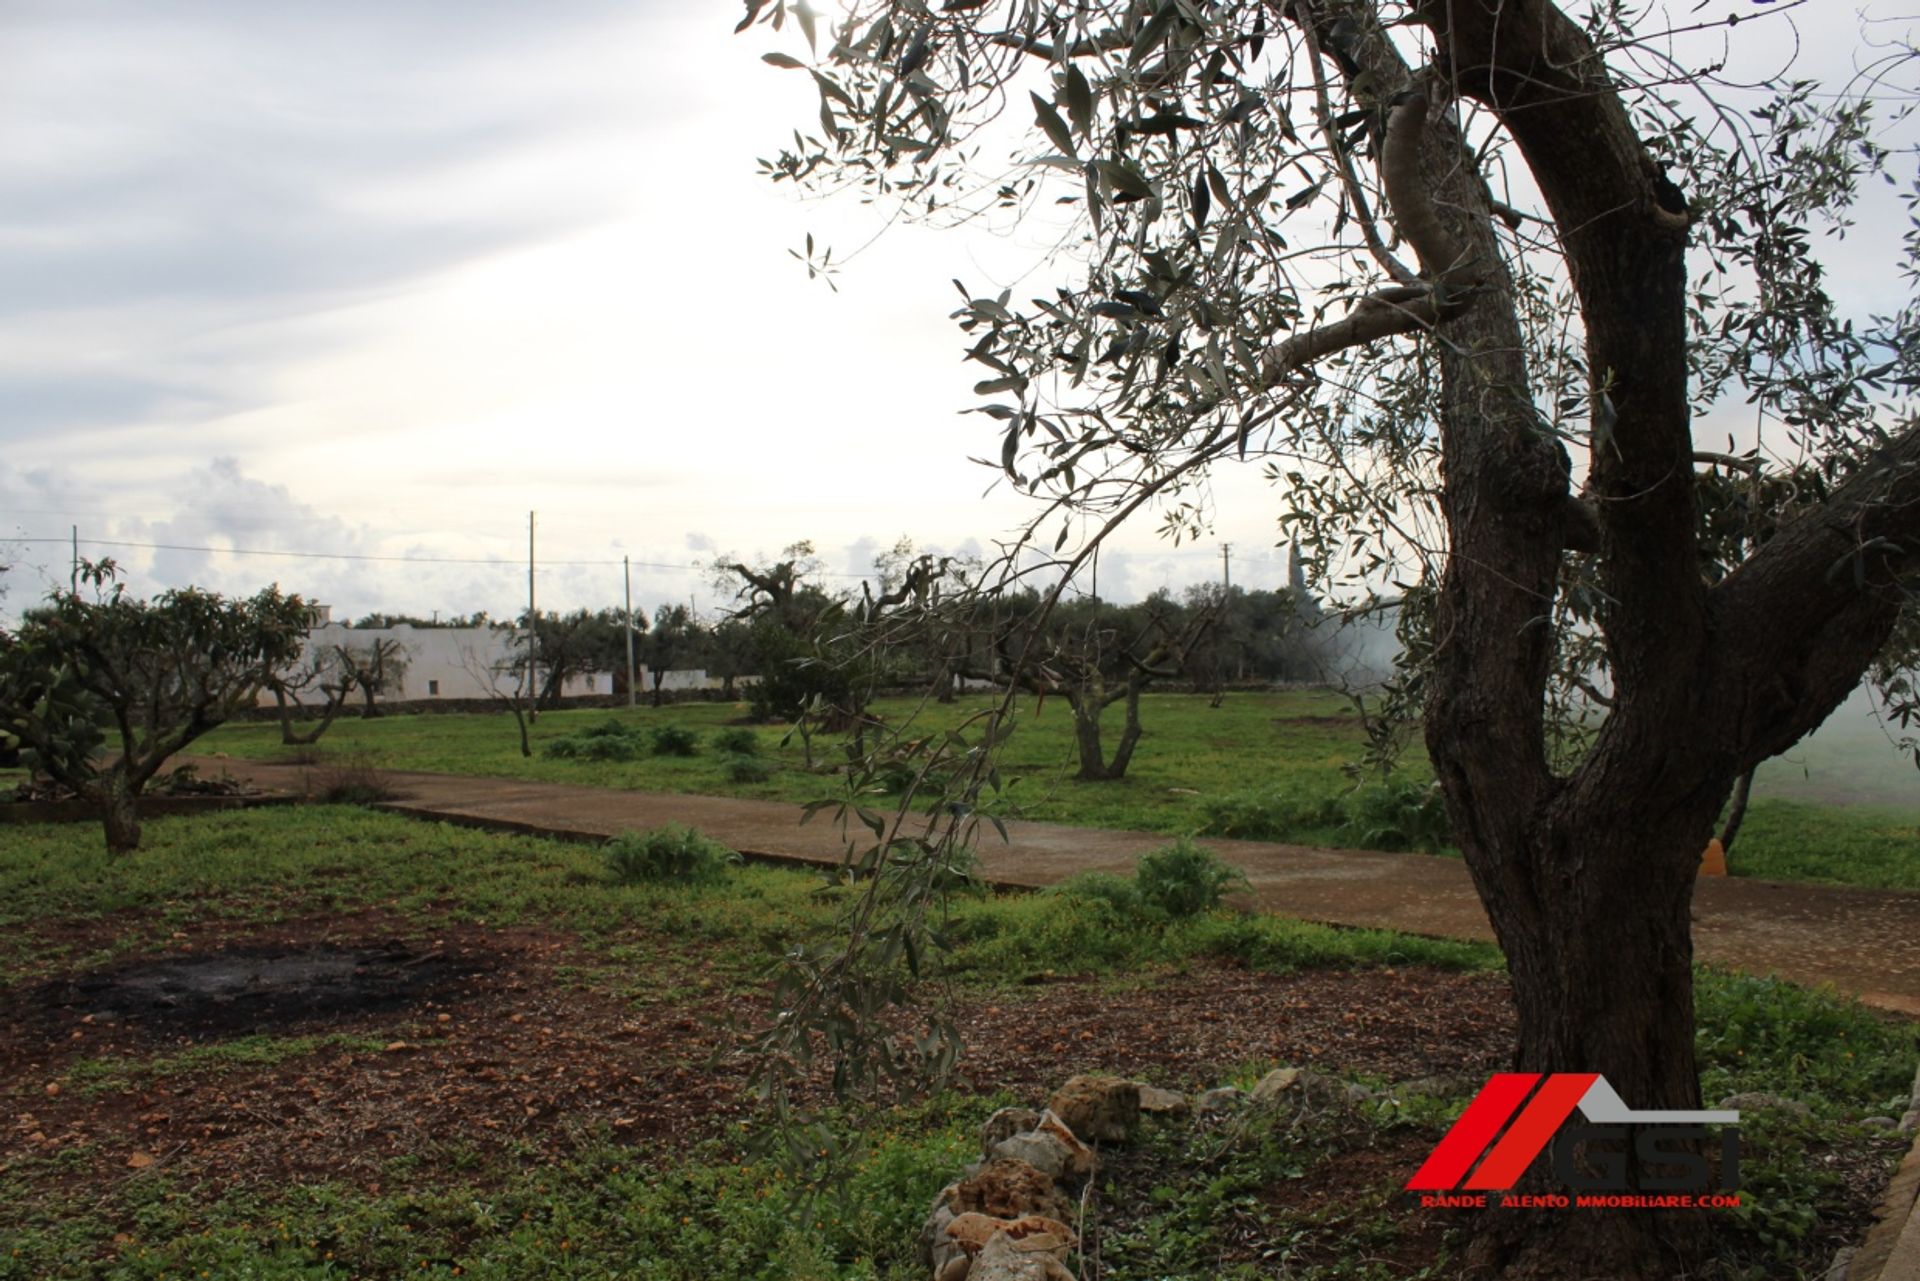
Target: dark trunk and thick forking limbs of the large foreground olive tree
column 1589, row 879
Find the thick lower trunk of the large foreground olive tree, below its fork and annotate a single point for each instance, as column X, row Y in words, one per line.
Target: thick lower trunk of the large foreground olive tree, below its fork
column 1591, row 904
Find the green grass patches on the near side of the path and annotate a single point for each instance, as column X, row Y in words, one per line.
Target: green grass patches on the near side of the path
column 590, row 1205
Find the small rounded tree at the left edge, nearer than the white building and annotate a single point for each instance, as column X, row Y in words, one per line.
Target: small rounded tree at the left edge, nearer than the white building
column 105, row 690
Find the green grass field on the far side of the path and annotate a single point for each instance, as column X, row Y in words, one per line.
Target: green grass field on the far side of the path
column 1260, row 767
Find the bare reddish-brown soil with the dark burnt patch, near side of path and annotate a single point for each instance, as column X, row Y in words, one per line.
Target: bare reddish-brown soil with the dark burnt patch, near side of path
column 473, row 1038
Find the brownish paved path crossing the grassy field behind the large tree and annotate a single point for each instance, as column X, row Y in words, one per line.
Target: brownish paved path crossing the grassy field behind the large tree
column 1863, row 942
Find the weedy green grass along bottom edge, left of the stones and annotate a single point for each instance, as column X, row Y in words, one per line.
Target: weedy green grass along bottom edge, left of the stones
column 598, row 1211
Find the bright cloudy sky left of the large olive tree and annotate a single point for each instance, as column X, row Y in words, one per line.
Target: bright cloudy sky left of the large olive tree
column 379, row 278
